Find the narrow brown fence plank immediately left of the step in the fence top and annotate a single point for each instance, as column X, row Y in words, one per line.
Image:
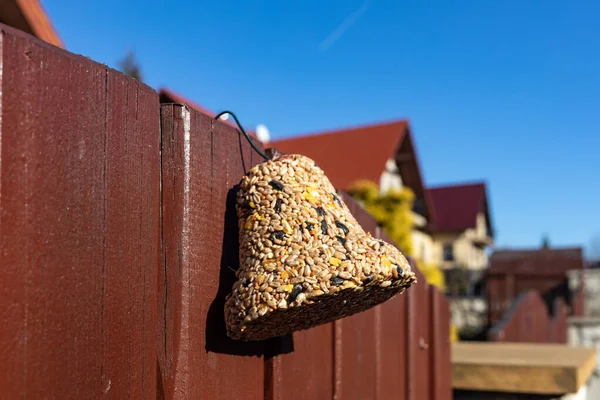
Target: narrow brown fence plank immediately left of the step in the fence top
column 132, row 243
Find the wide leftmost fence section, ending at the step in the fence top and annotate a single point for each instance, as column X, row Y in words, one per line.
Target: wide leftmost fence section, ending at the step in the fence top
column 79, row 226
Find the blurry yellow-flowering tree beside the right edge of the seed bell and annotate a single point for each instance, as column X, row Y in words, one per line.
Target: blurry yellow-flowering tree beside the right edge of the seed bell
column 393, row 212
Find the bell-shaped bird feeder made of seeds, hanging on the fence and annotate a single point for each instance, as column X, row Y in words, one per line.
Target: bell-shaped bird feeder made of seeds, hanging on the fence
column 304, row 259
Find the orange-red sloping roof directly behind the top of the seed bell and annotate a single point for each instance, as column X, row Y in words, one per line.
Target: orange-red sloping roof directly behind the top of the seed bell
column 348, row 155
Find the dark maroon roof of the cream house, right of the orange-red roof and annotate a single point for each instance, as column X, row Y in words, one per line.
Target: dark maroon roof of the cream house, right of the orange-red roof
column 456, row 207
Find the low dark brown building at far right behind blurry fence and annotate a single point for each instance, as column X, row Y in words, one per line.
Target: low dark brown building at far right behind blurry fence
column 512, row 272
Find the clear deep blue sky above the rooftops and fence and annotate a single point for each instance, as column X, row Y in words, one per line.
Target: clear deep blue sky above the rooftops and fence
column 504, row 91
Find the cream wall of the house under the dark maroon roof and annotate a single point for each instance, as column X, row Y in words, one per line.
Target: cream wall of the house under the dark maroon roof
column 466, row 253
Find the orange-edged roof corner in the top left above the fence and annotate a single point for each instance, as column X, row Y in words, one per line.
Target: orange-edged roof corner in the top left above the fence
column 29, row 16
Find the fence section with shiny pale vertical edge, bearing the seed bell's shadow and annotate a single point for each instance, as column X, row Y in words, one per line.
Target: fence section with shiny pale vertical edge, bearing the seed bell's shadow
column 203, row 161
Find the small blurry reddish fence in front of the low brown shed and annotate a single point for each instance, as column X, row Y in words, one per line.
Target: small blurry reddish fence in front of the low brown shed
column 530, row 320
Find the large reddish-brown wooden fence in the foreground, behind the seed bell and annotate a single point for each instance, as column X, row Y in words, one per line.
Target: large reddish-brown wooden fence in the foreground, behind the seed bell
column 117, row 235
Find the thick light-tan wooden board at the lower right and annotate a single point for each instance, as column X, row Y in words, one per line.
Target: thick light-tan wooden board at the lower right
column 521, row 368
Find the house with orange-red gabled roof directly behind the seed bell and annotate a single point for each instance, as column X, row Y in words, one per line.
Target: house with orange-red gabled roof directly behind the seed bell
column 383, row 153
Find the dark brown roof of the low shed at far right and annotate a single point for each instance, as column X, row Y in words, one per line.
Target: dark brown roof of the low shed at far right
column 536, row 261
